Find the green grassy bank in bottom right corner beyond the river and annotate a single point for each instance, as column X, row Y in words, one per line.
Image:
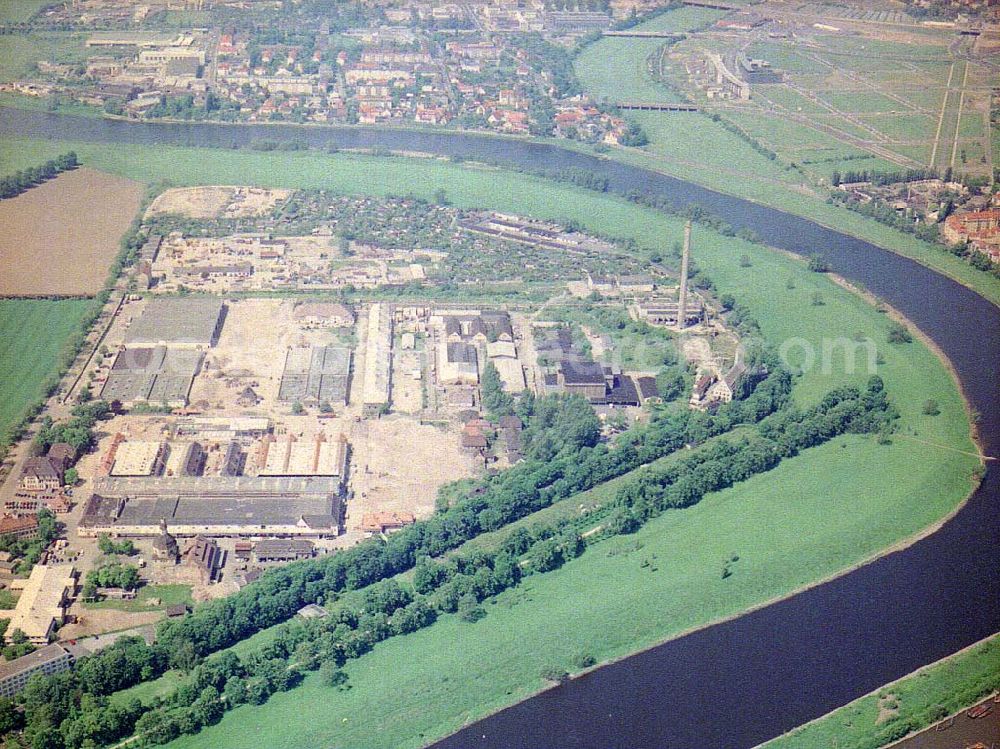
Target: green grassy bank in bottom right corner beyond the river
column 922, row 697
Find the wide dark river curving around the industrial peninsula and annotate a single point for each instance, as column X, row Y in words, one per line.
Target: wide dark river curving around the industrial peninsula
column 739, row 683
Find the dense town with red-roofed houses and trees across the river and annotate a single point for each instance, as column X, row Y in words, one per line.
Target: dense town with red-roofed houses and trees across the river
column 497, row 66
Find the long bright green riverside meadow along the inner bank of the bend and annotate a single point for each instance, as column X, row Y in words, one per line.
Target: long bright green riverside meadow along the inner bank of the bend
column 788, row 528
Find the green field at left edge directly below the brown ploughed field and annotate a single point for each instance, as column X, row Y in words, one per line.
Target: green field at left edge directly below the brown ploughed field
column 33, row 334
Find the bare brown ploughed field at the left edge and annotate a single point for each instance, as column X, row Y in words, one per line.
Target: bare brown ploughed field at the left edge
column 61, row 237
